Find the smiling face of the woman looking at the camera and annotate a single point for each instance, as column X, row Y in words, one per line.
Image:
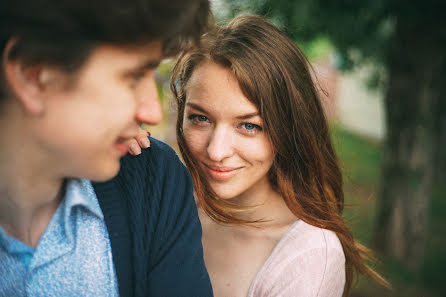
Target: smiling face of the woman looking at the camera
column 224, row 133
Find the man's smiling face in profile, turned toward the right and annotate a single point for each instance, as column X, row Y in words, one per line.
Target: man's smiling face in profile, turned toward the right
column 84, row 126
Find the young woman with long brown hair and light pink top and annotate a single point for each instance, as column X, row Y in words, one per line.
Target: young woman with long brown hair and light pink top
column 253, row 134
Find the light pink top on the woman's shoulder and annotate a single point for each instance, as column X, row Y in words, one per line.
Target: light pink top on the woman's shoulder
column 307, row 262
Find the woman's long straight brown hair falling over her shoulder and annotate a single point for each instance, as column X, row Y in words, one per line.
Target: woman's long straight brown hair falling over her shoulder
column 275, row 75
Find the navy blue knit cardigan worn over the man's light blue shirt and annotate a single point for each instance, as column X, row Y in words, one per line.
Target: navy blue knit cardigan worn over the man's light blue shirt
column 153, row 225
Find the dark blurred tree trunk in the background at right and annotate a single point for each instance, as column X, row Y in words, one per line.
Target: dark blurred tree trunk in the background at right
column 414, row 151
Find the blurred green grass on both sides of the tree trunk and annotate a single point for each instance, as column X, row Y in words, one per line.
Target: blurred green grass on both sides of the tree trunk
column 360, row 160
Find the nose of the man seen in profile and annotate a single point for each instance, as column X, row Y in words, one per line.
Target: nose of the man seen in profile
column 149, row 109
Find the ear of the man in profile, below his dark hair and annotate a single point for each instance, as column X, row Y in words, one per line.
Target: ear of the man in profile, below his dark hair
column 28, row 83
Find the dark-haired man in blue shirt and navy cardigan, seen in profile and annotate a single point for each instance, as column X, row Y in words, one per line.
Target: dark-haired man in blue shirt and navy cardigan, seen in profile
column 77, row 79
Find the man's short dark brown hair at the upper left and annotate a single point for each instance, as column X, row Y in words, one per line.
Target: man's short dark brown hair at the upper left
column 63, row 33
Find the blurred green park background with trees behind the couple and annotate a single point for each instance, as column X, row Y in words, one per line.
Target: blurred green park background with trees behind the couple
column 381, row 69
